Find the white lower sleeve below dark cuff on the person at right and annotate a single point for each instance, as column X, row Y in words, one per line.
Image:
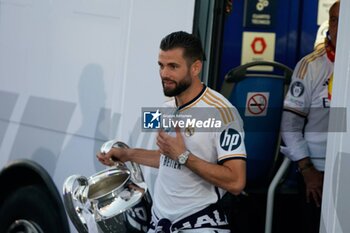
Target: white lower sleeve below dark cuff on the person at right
column 292, row 134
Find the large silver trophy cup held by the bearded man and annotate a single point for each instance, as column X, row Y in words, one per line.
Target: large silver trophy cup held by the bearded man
column 116, row 198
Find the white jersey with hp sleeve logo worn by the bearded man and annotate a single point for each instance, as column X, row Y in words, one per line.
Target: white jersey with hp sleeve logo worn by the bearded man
column 179, row 192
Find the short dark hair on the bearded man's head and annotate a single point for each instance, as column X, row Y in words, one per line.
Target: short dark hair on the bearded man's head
column 191, row 44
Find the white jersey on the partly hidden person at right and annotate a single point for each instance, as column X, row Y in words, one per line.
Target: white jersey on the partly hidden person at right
column 306, row 108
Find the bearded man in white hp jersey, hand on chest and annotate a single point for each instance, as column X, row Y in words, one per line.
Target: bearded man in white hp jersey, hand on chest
column 196, row 168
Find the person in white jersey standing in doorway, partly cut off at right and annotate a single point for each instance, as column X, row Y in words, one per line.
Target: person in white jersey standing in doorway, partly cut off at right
column 305, row 121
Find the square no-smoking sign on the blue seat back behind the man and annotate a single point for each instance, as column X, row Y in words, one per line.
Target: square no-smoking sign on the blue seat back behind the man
column 257, row 103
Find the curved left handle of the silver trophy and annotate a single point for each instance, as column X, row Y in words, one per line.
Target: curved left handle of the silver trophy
column 74, row 198
